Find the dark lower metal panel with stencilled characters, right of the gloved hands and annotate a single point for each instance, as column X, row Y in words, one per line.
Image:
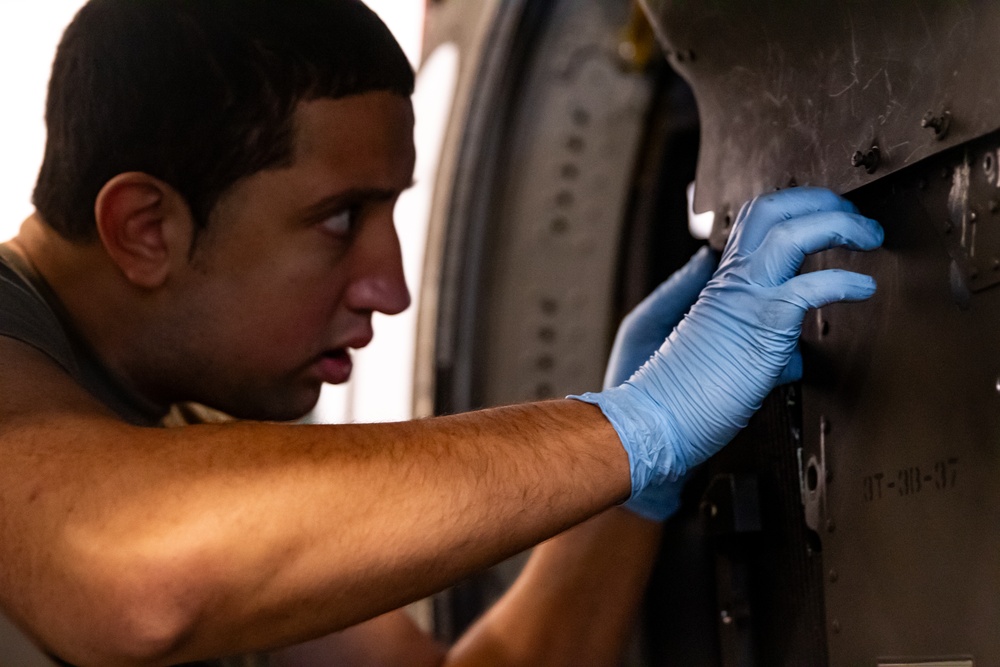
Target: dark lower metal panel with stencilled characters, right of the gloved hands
column 908, row 387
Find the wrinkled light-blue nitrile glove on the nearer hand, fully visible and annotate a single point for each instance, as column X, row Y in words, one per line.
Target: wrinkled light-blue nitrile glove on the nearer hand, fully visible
column 713, row 372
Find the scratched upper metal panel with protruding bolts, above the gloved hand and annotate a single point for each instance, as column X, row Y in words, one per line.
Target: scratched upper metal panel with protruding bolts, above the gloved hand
column 802, row 92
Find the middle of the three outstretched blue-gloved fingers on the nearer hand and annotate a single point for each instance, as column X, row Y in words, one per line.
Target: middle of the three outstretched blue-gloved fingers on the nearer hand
column 782, row 252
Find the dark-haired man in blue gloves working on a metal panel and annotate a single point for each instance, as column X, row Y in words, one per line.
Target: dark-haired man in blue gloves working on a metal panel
column 214, row 226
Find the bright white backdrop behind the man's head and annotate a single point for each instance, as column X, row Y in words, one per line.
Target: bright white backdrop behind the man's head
column 382, row 388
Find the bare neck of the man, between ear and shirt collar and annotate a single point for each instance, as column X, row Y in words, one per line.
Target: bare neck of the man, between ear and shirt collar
column 112, row 323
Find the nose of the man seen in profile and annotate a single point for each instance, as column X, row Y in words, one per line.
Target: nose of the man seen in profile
column 379, row 283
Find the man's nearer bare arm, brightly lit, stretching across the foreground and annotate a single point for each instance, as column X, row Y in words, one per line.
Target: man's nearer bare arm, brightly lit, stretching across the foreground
column 129, row 546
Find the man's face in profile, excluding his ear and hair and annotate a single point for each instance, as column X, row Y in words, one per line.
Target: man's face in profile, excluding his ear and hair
column 295, row 261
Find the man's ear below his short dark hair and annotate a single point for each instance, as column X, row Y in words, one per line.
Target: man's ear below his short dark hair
column 145, row 226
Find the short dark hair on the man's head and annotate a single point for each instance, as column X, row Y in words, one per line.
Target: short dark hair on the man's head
column 198, row 93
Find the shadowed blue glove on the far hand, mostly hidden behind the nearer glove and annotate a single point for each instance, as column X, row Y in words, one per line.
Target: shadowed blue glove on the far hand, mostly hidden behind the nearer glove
column 641, row 333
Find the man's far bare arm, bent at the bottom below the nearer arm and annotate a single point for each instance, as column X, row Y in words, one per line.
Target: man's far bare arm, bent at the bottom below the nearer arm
column 574, row 604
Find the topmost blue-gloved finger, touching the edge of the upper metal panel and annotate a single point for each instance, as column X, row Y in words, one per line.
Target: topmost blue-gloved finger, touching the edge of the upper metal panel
column 757, row 218
